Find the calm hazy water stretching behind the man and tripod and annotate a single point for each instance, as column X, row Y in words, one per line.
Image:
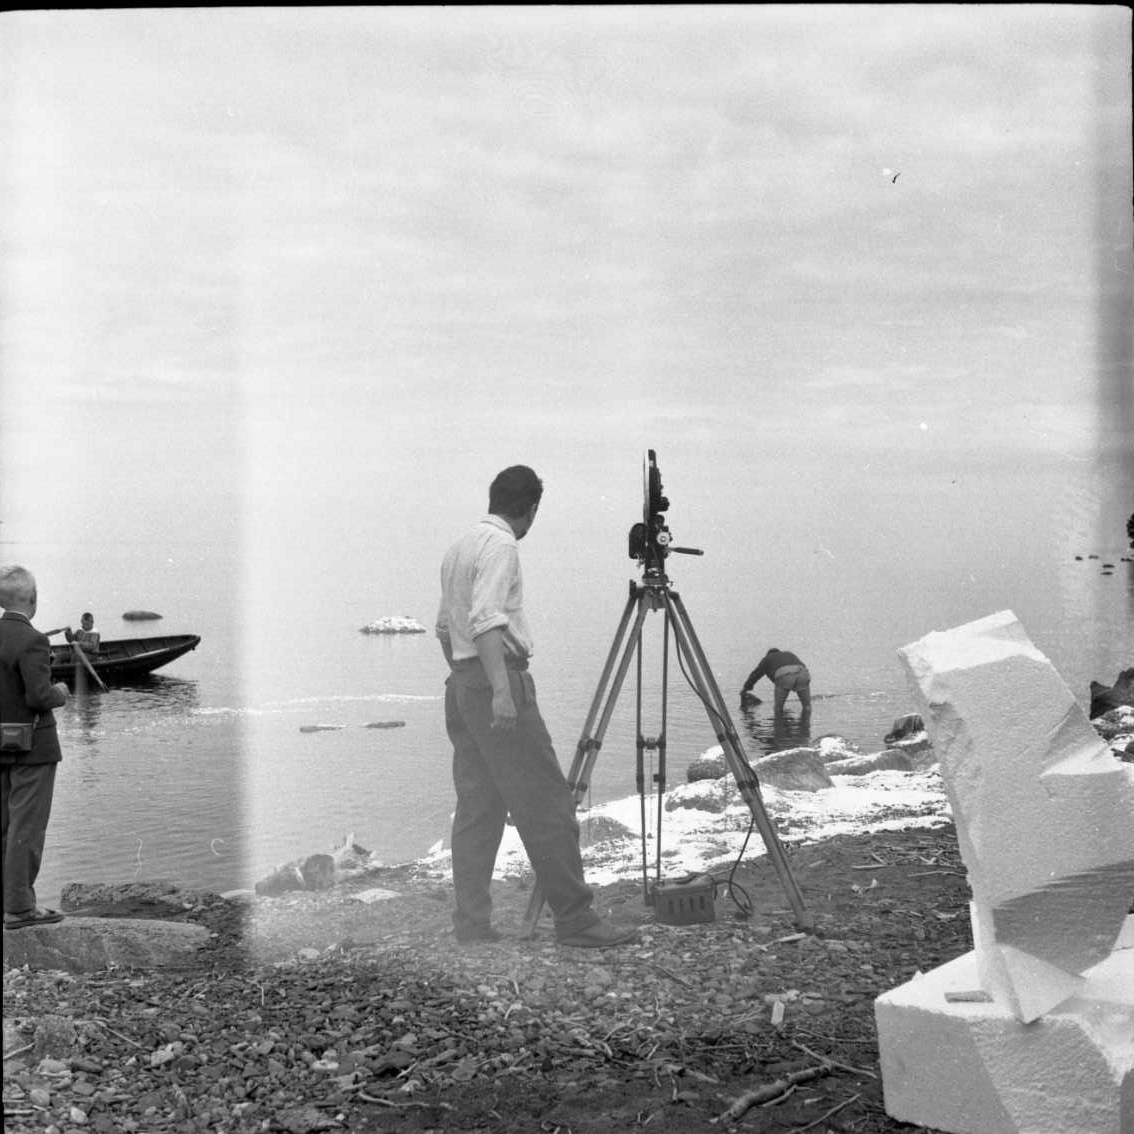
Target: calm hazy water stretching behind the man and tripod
column 204, row 774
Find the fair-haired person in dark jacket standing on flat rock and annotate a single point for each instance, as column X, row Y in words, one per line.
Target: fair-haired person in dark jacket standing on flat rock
column 29, row 748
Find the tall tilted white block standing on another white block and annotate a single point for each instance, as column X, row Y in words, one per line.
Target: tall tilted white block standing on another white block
column 1045, row 815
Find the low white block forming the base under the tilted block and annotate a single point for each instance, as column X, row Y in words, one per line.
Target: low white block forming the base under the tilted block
column 976, row 1069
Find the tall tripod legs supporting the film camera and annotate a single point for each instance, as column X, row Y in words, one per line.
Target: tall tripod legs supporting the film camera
column 655, row 594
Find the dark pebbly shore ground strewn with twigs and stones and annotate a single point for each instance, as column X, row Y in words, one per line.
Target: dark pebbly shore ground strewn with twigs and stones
column 321, row 1012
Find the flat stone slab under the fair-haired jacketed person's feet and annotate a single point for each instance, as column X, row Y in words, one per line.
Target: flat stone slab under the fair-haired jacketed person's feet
column 89, row 945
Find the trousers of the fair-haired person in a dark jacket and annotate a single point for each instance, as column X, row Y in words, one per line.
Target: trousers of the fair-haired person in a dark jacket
column 26, row 807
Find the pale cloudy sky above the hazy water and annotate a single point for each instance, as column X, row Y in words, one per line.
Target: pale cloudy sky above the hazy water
column 864, row 230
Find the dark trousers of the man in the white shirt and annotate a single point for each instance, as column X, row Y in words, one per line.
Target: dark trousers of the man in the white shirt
column 497, row 774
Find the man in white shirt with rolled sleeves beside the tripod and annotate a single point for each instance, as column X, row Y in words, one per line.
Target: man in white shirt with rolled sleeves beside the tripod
column 503, row 759
